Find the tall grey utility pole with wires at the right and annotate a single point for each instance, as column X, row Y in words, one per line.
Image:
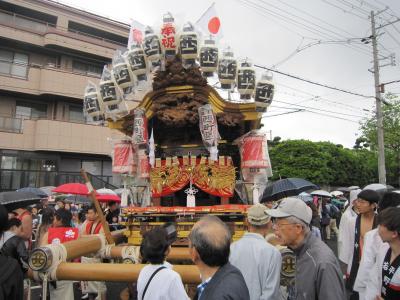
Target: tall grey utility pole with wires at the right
column 379, row 117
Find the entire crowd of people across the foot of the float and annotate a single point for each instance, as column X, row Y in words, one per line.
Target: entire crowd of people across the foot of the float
column 365, row 222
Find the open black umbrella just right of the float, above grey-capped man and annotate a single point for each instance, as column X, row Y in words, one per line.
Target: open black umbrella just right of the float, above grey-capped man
column 286, row 188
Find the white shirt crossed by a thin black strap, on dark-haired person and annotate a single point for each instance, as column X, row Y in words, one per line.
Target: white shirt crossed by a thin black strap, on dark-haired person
column 165, row 285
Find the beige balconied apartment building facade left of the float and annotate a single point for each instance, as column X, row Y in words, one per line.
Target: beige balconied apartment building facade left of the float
column 50, row 79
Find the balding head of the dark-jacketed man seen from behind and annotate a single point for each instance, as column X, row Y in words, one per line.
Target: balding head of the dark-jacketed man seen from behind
column 211, row 239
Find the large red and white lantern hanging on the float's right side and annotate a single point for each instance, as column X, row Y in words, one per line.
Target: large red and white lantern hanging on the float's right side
column 255, row 163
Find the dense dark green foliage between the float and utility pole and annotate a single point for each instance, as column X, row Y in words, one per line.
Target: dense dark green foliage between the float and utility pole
column 323, row 163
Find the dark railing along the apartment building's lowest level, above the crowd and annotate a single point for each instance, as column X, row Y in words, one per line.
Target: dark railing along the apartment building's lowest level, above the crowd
column 14, row 179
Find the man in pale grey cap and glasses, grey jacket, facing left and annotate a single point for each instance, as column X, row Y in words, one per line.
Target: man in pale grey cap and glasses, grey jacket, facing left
column 318, row 274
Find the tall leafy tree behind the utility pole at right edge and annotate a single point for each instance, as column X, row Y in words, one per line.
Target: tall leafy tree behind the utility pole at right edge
column 391, row 128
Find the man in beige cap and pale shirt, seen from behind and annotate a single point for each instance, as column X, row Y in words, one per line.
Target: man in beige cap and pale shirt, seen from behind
column 259, row 262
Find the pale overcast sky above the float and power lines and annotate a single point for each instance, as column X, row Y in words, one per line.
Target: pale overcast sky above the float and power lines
column 268, row 31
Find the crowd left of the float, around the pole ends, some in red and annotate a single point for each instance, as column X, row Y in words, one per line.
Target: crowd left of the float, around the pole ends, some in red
column 25, row 229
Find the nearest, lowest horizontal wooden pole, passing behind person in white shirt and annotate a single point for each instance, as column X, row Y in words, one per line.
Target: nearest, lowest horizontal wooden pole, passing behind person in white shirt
column 118, row 272
